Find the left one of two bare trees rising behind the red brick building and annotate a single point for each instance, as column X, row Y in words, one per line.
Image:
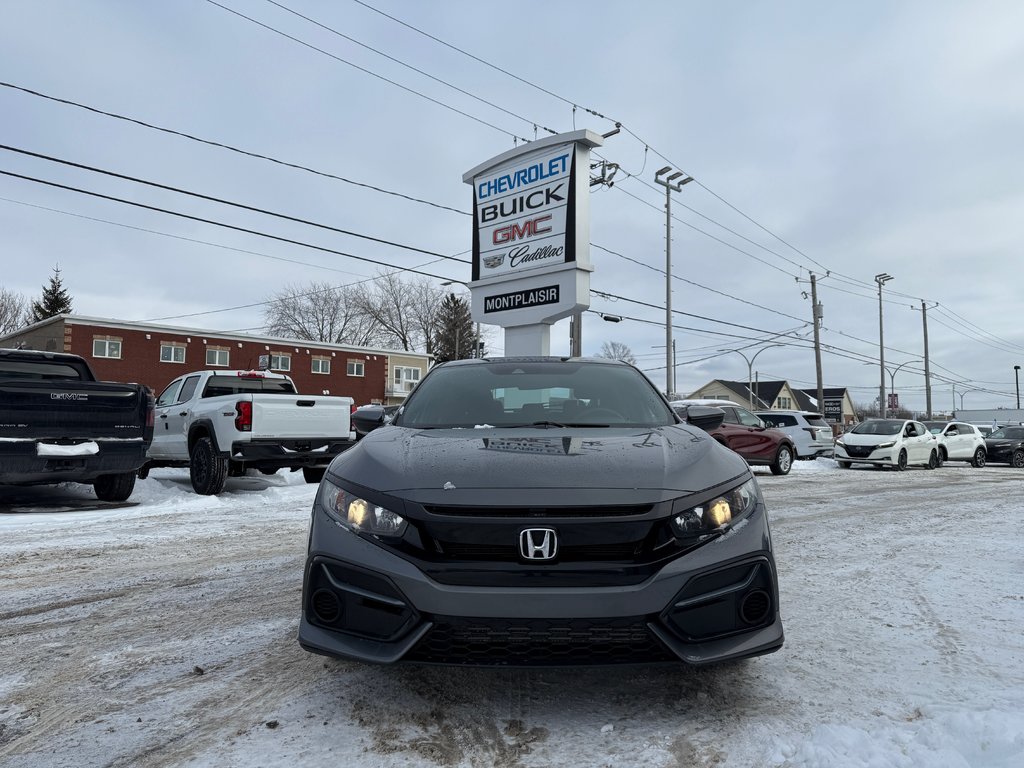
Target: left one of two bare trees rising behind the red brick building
column 321, row 312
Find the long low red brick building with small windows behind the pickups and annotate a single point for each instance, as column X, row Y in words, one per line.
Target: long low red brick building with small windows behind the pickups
column 154, row 356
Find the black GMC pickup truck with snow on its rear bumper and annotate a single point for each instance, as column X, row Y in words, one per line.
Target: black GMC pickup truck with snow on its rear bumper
column 59, row 424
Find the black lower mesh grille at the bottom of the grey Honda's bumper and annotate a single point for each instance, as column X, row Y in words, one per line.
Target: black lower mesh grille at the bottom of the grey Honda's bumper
column 540, row 643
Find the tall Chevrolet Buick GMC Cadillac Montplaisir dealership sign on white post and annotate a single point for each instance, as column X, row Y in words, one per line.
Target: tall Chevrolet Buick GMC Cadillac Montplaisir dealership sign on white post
column 532, row 238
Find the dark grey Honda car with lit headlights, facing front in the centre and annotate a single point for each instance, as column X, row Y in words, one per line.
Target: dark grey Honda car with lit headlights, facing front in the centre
column 539, row 513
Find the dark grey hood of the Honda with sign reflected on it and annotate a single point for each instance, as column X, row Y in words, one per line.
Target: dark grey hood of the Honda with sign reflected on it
column 633, row 463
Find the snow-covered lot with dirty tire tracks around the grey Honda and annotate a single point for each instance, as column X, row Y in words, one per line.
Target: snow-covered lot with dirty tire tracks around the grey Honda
column 162, row 633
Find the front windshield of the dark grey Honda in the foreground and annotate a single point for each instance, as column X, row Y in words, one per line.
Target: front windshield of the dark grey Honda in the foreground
column 550, row 393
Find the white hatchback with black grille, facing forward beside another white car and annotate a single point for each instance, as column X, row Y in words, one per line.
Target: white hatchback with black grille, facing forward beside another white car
column 888, row 443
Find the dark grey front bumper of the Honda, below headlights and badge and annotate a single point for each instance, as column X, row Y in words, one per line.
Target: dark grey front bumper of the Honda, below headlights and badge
column 714, row 604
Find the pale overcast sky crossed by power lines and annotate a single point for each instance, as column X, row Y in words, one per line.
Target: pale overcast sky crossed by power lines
column 845, row 140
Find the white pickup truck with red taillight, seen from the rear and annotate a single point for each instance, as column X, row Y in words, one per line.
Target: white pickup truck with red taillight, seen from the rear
column 222, row 423
